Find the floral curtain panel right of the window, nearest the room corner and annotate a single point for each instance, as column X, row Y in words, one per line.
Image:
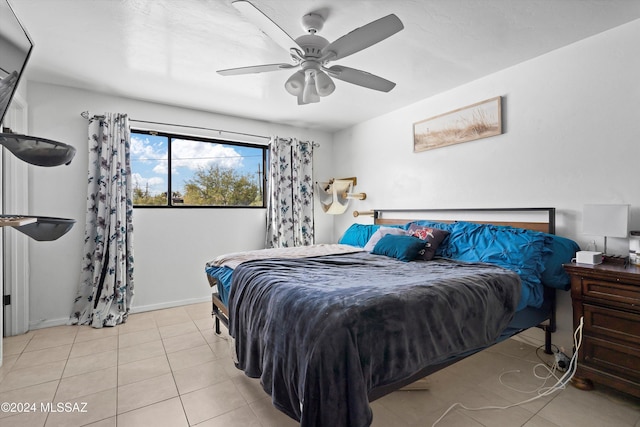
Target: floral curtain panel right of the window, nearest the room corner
column 290, row 197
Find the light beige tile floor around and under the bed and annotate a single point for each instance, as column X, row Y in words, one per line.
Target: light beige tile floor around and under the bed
column 168, row 368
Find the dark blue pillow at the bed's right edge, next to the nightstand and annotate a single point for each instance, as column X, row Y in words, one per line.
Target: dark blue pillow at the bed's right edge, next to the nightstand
column 561, row 251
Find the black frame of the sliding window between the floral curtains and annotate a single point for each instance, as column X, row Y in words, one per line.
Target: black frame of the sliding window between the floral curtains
column 171, row 136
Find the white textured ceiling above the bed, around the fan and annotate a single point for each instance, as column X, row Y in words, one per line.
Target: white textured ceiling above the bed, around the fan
column 167, row 51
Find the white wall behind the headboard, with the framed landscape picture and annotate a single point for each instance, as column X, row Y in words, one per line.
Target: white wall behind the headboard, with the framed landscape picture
column 571, row 136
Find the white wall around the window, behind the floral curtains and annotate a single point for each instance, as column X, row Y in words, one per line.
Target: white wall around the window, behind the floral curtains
column 170, row 246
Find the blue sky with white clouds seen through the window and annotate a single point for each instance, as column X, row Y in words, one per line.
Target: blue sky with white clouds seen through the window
column 149, row 160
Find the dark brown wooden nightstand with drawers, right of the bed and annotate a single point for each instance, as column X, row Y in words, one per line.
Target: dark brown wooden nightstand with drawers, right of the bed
column 608, row 296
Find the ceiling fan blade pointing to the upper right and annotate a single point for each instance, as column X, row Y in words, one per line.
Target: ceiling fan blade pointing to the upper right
column 363, row 37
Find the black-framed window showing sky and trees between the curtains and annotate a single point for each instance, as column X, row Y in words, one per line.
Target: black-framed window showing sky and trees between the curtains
column 185, row 171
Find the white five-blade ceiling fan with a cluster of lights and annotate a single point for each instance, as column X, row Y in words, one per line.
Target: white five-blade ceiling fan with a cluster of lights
column 311, row 53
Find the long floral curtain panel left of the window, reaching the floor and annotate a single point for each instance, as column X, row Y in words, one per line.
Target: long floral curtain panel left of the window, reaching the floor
column 106, row 281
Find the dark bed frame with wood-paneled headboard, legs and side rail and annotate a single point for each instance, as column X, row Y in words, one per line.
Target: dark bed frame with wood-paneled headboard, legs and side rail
column 394, row 217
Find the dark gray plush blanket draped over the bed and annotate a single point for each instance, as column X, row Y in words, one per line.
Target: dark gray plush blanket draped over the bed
column 322, row 332
